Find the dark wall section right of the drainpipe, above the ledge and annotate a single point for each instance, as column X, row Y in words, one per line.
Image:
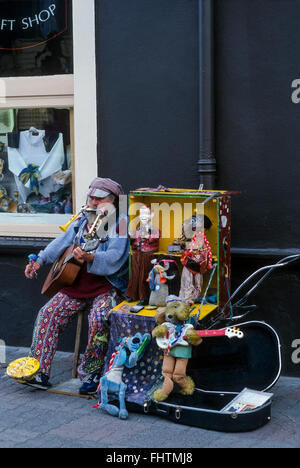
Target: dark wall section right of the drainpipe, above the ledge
column 258, row 138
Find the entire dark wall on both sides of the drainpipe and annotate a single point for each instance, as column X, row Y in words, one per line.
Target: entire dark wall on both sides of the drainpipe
column 147, row 65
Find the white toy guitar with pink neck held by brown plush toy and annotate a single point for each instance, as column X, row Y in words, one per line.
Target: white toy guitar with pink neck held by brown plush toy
column 177, row 337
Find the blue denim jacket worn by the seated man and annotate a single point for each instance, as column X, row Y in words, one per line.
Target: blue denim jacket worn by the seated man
column 110, row 258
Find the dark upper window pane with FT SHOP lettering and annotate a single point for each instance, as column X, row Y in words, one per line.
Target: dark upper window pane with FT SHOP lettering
column 36, row 38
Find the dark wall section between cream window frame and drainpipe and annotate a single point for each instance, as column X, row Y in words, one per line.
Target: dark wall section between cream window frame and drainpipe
column 148, row 84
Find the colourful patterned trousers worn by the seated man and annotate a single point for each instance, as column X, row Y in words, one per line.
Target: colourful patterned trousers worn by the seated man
column 54, row 317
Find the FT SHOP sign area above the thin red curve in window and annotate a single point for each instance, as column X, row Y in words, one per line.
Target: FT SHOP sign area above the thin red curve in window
column 28, row 23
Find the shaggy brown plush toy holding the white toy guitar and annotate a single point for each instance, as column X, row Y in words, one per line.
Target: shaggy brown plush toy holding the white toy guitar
column 176, row 337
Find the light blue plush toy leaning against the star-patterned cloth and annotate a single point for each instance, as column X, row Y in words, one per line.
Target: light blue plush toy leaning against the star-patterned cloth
column 129, row 352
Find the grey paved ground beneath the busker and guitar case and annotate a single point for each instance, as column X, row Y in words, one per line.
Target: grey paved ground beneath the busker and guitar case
column 31, row 418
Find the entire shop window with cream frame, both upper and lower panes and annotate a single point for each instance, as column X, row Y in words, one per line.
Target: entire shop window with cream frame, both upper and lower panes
column 41, row 90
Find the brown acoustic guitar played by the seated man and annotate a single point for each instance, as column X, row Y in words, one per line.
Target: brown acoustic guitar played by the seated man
column 65, row 269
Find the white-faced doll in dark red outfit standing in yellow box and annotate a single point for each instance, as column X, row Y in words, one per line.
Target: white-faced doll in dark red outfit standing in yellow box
column 145, row 241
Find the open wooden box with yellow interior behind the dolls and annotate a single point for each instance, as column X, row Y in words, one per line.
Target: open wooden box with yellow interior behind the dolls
column 171, row 208
